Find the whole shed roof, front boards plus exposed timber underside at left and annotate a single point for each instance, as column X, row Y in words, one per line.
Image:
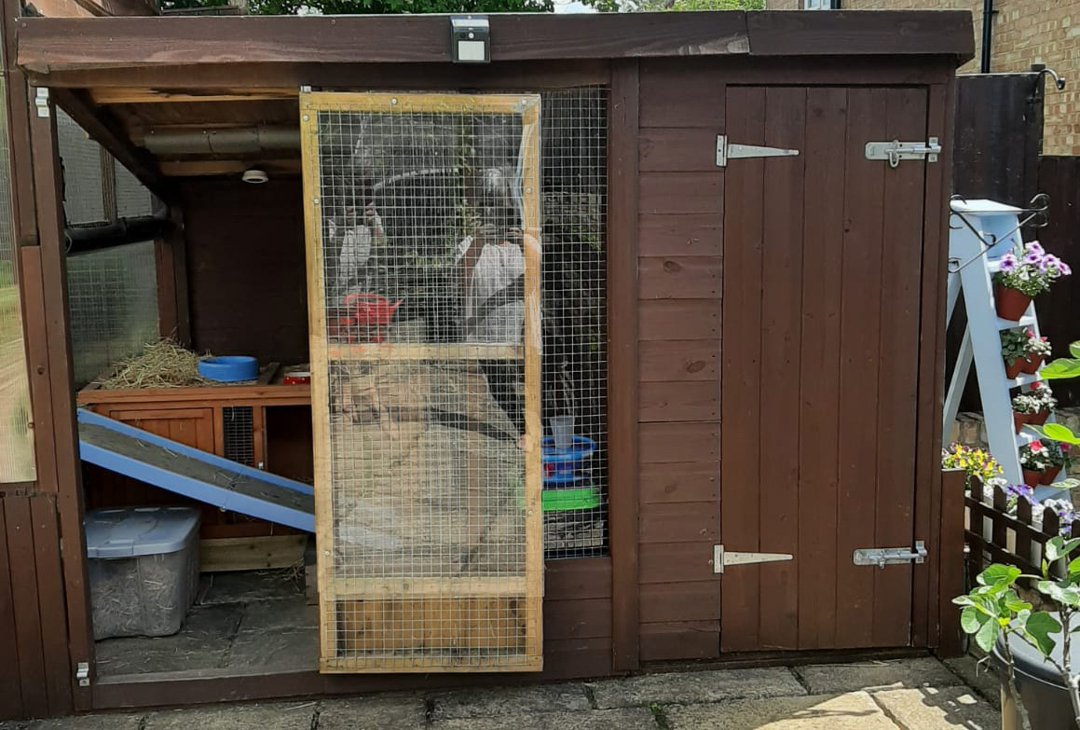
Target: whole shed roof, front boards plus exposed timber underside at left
column 128, row 78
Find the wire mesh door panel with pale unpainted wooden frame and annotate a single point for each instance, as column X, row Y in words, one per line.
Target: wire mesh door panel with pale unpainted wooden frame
column 424, row 269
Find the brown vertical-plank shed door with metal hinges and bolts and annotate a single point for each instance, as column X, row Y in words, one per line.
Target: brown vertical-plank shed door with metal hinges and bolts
column 822, row 258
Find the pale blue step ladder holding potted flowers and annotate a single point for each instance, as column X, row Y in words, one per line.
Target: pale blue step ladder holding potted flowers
column 981, row 233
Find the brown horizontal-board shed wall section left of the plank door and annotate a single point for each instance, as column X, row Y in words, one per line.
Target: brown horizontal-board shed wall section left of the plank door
column 680, row 283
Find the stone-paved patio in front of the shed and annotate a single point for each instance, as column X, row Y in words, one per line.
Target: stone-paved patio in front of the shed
column 913, row 694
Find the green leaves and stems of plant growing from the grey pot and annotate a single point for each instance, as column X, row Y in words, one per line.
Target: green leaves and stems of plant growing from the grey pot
column 994, row 609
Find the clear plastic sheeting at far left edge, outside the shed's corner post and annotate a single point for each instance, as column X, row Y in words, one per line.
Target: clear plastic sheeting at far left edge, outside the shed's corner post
column 17, row 440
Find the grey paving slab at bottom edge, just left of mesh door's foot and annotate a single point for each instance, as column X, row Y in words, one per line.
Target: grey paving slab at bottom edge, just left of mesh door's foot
column 277, row 717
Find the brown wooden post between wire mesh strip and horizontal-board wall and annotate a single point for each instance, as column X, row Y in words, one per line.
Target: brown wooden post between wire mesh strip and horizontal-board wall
column 623, row 364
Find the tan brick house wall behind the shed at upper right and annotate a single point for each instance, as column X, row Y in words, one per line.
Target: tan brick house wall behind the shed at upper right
column 1025, row 33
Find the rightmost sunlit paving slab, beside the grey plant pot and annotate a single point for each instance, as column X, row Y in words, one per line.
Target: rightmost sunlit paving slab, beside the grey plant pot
column 934, row 709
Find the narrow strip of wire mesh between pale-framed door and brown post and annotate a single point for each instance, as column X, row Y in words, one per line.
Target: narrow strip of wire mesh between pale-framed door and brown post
column 575, row 320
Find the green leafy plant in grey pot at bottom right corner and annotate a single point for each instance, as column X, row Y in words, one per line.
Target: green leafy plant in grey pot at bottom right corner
column 1033, row 648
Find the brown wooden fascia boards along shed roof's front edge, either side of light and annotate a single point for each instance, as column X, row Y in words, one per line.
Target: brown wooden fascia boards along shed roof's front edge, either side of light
column 50, row 46
